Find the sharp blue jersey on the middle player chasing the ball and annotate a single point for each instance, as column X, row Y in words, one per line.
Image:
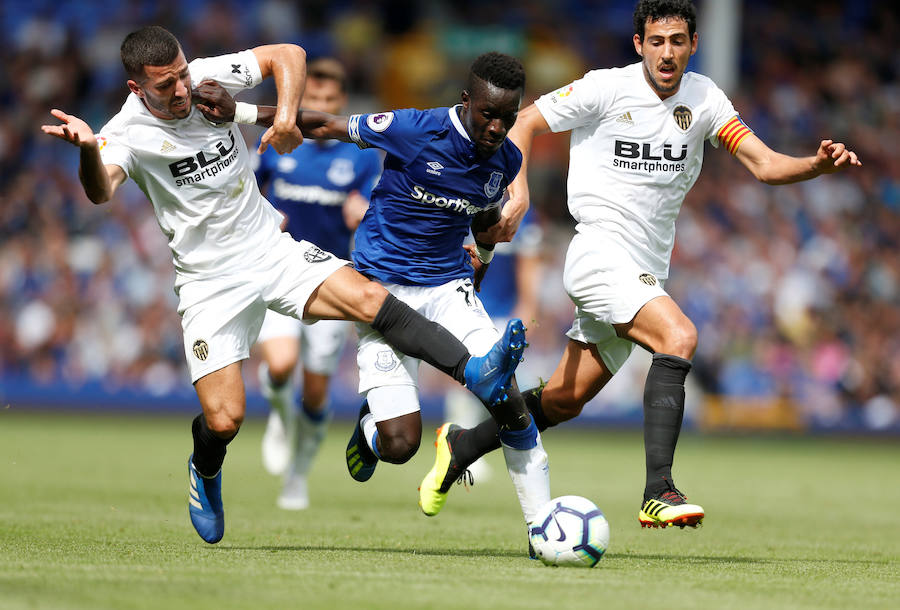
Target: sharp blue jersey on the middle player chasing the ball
column 431, row 185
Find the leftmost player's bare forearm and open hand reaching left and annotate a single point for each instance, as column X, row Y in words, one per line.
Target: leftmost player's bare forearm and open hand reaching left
column 99, row 181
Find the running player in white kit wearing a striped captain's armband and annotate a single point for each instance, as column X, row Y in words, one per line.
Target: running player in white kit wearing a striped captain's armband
column 636, row 148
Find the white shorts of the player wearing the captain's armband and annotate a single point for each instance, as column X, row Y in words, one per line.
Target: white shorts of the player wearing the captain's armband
column 608, row 287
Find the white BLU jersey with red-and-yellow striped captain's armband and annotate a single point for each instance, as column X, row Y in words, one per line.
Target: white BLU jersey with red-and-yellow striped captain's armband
column 633, row 157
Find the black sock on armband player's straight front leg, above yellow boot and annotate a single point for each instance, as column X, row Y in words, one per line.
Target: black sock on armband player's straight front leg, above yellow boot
column 663, row 412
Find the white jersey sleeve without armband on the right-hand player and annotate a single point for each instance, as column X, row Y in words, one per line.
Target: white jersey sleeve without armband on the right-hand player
column 581, row 102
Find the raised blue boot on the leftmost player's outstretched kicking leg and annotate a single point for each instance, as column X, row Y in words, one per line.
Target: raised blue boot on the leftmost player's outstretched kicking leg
column 488, row 376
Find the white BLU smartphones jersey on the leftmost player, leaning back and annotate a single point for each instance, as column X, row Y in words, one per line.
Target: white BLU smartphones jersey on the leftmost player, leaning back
column 197, row 175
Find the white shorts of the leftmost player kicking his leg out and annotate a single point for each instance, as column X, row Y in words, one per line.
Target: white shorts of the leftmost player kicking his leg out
column 221, row 315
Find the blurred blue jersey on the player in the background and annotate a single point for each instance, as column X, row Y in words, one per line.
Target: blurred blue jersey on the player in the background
column 311, row 184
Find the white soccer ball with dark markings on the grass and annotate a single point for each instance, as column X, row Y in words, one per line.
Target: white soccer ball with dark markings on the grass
column 569, row 531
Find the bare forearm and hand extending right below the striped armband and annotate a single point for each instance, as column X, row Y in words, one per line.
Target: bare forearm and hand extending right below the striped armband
column 775, row 168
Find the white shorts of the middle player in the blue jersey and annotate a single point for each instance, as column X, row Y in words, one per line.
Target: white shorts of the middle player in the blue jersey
column 453, row 305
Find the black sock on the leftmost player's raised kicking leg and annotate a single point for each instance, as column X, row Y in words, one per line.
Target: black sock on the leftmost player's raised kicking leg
column 417, row 336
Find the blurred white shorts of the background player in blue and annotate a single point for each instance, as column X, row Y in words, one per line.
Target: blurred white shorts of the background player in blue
column 320, row 343
